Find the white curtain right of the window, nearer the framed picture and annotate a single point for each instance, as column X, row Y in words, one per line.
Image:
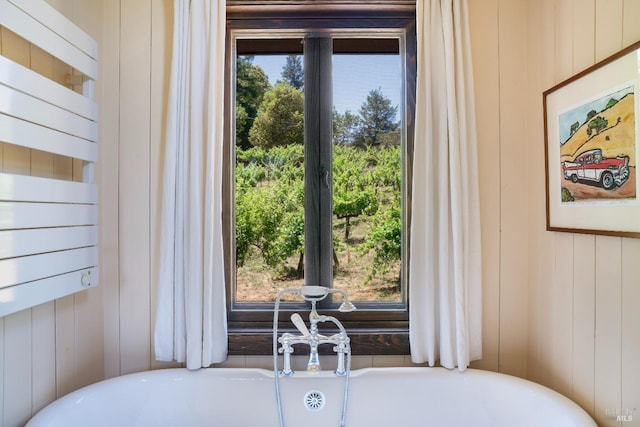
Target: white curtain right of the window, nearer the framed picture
column 445, row 269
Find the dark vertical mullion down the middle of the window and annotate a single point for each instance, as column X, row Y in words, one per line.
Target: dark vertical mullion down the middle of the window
column 318, row 128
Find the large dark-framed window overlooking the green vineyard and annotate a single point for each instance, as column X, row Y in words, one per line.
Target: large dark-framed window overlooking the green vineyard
column 319, row 143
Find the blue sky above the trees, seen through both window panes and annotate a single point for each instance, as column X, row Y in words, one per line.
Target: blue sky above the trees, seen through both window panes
column 353, row 77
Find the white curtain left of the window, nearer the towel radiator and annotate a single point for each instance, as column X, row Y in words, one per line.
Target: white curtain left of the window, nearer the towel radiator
column 191, row 313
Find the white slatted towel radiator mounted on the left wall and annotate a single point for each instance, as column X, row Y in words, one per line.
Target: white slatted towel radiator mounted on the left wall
column 48, row 224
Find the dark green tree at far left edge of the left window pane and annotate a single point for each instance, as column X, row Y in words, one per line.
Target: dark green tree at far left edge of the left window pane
column 251, row 85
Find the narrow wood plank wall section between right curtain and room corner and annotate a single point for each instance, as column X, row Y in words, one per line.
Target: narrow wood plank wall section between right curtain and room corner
column 499, row 60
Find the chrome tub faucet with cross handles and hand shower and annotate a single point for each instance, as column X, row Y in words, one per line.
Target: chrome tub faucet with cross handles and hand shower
column 312, row 337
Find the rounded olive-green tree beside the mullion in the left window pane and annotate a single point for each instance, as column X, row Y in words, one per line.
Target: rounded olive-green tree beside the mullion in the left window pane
column 280, row 118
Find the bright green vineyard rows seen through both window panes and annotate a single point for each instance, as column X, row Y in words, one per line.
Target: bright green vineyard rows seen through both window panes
column 270, row 202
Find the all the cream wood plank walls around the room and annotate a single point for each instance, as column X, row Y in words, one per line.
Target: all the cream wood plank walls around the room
column 560, row 309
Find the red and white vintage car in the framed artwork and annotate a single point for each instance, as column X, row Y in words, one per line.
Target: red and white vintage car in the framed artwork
column 591, row 166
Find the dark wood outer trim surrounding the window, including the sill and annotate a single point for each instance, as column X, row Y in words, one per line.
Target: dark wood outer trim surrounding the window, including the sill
column 372, row 330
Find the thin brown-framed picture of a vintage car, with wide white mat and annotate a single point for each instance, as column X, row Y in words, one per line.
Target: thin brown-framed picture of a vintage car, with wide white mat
column 592, row 144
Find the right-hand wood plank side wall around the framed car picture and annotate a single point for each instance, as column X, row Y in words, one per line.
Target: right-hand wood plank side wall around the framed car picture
column 584, row 291
